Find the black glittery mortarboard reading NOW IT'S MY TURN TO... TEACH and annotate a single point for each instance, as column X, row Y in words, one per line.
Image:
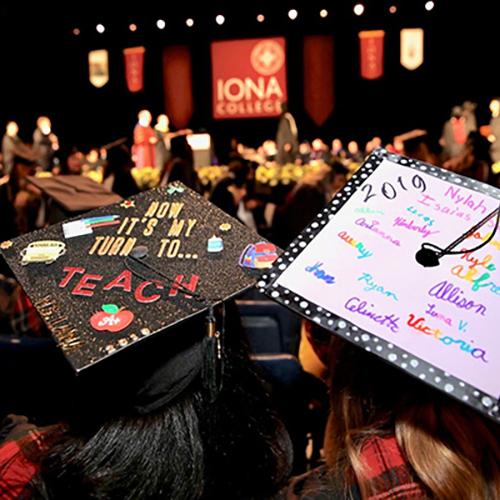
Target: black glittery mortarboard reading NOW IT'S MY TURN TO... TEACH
column 119, row 274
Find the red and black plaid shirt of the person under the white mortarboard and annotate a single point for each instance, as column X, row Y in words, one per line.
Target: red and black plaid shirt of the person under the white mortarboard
column 389, row 477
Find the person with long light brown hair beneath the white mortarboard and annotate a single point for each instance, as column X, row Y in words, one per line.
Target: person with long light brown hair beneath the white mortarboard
column 389, row 436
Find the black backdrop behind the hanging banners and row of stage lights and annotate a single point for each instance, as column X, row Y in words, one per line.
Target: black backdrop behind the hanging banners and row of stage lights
column 45, row 69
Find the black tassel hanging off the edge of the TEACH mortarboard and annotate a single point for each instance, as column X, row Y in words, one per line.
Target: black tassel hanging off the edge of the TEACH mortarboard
column 212, row 358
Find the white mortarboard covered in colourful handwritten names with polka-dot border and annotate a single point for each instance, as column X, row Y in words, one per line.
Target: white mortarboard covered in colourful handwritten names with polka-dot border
column 404, row 263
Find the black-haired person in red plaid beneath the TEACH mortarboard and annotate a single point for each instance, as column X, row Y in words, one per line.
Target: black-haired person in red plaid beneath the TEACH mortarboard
column 144, row 426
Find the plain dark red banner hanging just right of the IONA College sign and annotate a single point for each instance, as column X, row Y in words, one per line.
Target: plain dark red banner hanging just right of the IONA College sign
column 318, row 77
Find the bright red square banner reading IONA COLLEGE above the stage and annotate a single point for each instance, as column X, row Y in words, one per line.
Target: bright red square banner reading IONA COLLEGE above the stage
column 248, row 78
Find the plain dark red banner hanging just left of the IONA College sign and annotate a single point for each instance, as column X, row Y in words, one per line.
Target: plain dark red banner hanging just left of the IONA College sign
column 178, row 84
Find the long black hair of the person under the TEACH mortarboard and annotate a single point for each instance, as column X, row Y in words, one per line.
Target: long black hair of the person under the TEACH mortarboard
column 189, row 449
